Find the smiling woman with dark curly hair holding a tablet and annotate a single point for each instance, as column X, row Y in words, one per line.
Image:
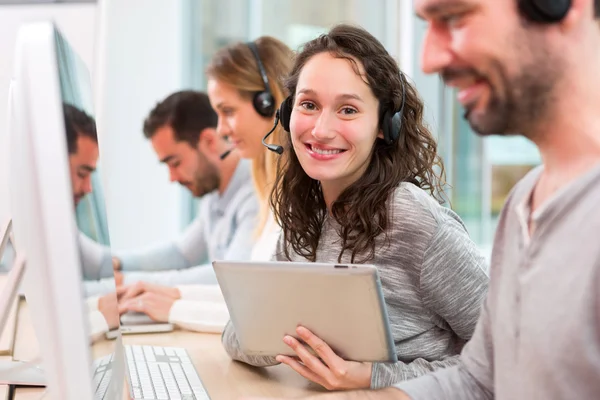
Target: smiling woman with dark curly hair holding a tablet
column 361, row 183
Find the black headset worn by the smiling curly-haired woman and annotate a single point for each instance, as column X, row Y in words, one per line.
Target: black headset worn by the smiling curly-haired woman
column 391, row 122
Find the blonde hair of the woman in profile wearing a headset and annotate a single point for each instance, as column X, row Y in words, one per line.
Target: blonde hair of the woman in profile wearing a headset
column 237, row 66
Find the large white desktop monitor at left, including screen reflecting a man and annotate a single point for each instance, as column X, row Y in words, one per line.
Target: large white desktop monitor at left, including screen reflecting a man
column 59, row 221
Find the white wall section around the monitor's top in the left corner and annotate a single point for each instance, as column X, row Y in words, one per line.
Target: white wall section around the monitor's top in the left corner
column 76, row 21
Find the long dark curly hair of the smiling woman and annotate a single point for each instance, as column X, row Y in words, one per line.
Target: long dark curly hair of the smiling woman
column 361, row 209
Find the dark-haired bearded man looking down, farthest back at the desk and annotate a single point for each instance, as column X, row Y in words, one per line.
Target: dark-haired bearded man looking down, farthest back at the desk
column 182, row 131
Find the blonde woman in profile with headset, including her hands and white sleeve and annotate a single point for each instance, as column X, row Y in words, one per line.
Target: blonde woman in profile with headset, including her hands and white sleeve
column 245, row 89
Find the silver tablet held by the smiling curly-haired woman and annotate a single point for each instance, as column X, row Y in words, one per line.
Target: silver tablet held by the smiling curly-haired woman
column 341, row 303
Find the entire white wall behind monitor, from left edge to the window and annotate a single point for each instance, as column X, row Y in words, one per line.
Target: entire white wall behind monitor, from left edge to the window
column 140, row 62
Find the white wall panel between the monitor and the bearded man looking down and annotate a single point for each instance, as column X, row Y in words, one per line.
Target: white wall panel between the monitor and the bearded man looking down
column 141, row 61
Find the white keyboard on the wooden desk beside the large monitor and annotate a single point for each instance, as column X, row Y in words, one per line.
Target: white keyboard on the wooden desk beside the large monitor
column 159, row 373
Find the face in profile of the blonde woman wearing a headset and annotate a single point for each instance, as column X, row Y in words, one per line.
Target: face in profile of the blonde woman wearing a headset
column 238, row 120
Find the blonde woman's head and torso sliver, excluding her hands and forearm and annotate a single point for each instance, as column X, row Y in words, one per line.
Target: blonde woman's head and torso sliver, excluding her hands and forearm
column 245, row 88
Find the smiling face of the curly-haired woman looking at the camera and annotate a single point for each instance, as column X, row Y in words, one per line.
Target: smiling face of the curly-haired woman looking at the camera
column 334, row 122
